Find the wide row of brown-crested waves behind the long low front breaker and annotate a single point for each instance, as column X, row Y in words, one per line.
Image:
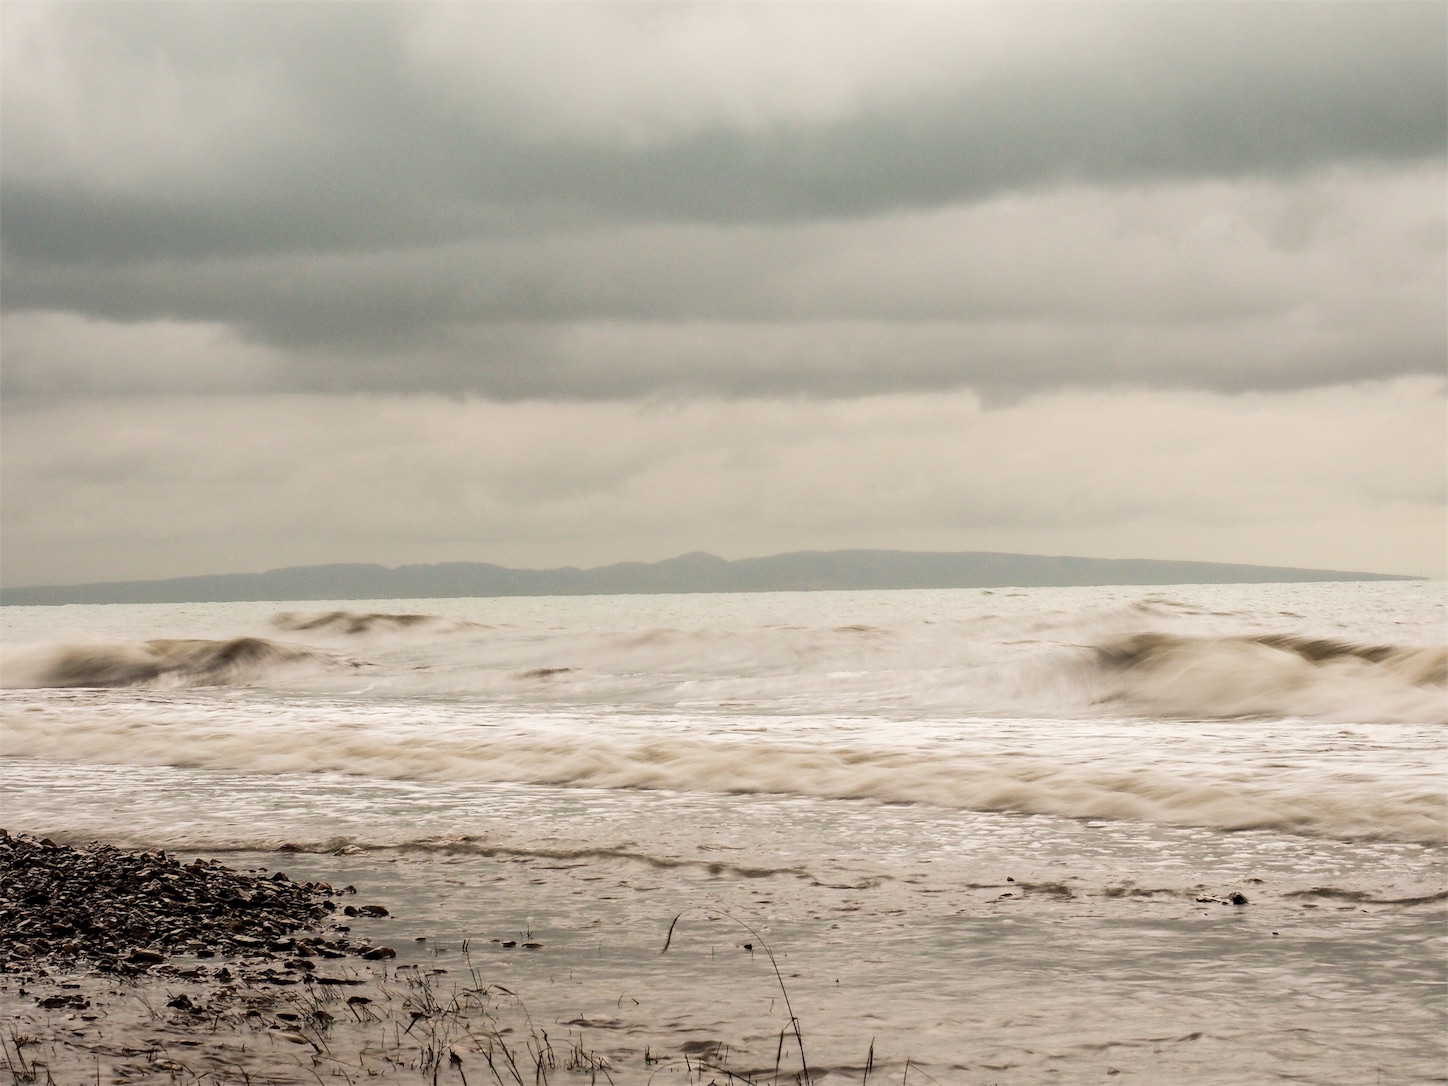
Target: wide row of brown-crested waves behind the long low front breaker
column 1074, row 668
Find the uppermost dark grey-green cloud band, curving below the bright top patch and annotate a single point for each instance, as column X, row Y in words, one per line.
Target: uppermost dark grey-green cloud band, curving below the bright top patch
column 366, row 151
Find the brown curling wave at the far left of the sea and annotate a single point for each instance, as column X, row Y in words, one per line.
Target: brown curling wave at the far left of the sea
column 159, row 662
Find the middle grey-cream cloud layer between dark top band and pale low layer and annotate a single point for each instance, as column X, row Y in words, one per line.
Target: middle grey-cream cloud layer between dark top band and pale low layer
column 1275, row 286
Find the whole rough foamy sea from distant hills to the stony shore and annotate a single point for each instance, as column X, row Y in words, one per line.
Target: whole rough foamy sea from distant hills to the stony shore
column 1192, row 833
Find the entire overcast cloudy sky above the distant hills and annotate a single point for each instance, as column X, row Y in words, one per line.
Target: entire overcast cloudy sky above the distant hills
column 571, row 285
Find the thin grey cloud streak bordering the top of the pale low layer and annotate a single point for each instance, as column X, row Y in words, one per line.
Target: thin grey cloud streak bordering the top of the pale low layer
column 626, row 361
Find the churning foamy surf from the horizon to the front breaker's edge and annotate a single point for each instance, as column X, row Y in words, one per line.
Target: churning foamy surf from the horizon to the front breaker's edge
column 1311, row 709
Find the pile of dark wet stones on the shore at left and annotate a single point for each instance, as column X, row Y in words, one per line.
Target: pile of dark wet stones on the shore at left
column 125, row 913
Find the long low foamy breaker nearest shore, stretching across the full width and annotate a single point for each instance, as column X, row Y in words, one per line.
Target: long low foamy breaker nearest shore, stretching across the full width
column 1074, row 783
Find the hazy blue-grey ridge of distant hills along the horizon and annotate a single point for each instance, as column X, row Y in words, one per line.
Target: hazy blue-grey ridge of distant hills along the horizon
column 694, row 573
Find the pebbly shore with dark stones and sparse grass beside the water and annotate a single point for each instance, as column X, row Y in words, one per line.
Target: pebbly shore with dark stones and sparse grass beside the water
column 127, row 968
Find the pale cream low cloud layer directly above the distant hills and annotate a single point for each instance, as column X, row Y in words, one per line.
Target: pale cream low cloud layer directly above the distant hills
column 1333, row 479
